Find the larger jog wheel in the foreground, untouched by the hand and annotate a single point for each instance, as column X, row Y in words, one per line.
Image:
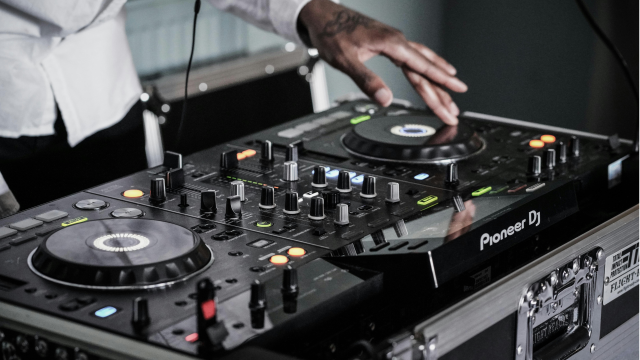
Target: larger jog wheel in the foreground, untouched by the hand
column 120, row 254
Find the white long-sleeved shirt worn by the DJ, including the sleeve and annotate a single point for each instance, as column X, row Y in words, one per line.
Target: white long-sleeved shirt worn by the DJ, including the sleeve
column 75, row 53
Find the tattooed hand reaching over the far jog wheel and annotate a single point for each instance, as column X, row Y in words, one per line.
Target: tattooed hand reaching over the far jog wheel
column 346, row 39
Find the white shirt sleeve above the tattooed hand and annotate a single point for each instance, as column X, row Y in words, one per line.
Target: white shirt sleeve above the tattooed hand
column 277, row 16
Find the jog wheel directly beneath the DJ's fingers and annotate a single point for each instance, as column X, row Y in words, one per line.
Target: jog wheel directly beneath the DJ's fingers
column 416, row 139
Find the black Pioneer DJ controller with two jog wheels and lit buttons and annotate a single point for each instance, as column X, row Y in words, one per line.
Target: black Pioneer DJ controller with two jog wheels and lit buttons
column 300, row 240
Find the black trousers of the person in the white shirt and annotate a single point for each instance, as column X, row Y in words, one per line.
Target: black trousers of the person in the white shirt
column 40, row 169
